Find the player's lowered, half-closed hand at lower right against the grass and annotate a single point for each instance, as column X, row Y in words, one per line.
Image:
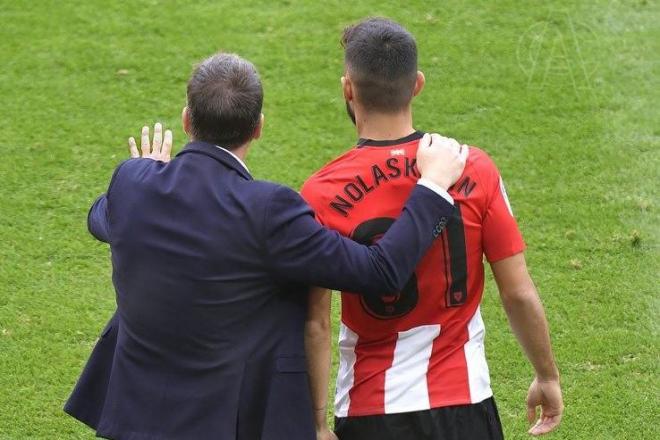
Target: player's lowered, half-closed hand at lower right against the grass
column 547, row 395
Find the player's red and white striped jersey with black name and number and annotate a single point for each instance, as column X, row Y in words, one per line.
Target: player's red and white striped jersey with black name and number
column 423, row 347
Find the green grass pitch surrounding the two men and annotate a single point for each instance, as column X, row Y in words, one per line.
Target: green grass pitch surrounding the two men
column 563, row 94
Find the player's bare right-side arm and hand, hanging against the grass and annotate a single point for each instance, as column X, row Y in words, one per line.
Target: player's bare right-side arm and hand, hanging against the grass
column 528, row 322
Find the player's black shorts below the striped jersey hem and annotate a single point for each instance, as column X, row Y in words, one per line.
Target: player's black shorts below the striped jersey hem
column 479, row 421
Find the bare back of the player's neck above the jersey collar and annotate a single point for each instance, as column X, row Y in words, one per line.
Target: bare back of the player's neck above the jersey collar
column 381, row 126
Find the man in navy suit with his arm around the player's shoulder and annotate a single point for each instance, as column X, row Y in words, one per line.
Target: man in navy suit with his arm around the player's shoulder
column 211, row 270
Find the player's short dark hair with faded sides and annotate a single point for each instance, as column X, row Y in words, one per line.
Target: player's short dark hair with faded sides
column 381, row 58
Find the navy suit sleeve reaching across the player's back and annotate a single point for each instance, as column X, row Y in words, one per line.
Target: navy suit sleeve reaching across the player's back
column 299, row 249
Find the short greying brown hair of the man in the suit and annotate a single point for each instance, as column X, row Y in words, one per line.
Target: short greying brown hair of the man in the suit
column 224, row 100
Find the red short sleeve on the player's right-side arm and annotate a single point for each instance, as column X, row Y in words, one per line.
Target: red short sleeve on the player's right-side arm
column 500, row 233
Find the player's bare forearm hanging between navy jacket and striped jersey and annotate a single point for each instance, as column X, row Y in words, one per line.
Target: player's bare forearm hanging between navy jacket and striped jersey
column 317, row 348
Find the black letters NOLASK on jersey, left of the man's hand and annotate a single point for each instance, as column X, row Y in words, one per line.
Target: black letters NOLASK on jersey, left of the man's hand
column 355, row 191
